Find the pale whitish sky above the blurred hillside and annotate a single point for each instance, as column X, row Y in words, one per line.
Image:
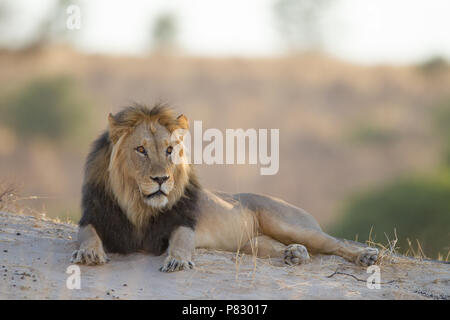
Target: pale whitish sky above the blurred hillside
column 362, row 31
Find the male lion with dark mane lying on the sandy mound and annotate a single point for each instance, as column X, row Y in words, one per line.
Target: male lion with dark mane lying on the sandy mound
column 135, row 198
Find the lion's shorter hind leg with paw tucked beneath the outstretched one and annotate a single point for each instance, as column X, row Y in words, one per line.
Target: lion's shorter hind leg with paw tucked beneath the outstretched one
column 267, row 247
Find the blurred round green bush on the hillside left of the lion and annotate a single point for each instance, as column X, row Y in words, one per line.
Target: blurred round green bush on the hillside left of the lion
column 47, row 107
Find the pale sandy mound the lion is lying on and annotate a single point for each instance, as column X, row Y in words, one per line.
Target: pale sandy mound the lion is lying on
column 35, row 255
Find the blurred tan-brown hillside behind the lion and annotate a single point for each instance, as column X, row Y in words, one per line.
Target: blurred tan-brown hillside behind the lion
column 343, row 127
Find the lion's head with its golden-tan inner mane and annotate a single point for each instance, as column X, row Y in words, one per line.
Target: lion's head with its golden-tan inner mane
column 143, row 175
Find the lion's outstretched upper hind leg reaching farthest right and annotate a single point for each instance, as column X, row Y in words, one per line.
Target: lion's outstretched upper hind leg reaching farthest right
column 287, row 231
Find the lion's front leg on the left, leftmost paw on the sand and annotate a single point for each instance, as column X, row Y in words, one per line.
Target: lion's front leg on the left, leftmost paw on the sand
column 91, row 250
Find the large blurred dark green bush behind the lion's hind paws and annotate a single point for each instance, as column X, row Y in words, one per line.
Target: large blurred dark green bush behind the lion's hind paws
column 417, row 208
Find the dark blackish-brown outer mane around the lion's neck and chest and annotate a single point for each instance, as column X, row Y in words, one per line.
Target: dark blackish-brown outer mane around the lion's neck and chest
column 118, row 234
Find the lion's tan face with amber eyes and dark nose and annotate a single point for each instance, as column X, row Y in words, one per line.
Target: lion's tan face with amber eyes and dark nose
column 149, row 159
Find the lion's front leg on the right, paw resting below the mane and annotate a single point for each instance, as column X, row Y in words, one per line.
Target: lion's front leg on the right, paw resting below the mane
column 181, row 248
